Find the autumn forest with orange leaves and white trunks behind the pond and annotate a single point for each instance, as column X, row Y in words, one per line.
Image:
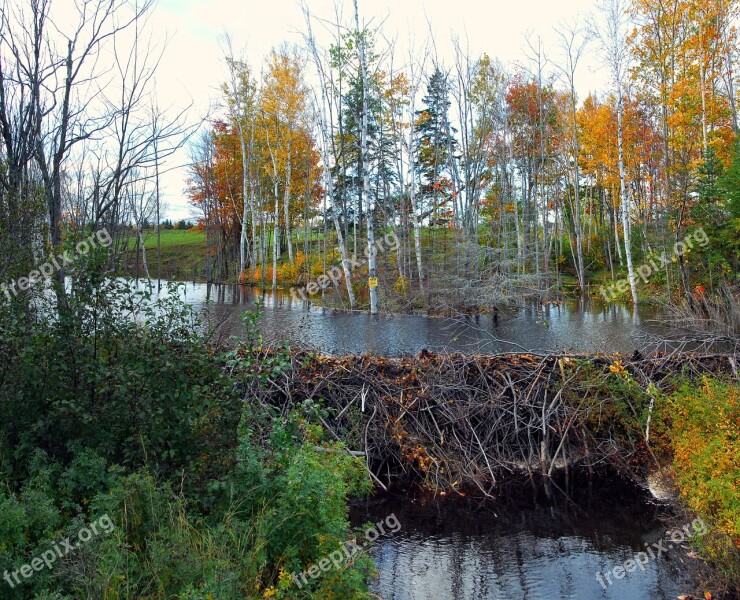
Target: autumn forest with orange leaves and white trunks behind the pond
column 499, row 181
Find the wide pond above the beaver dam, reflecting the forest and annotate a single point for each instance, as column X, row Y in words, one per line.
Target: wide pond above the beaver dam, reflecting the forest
column 587, row 326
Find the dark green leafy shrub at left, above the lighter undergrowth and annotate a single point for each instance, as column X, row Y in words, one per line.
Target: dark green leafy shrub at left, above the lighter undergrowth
column 126, row 377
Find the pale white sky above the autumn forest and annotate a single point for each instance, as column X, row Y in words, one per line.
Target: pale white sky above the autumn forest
column 192, row 67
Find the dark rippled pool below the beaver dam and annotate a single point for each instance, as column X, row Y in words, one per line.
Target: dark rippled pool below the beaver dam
column 452, row 548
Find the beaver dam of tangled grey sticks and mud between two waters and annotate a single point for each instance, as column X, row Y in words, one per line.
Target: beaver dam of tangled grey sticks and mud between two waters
column 472, row 422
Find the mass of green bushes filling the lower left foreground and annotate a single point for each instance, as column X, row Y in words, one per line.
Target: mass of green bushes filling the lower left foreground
column 114, row 405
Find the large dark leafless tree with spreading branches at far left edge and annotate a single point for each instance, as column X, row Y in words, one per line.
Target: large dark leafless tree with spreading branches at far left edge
column 54, row 109
